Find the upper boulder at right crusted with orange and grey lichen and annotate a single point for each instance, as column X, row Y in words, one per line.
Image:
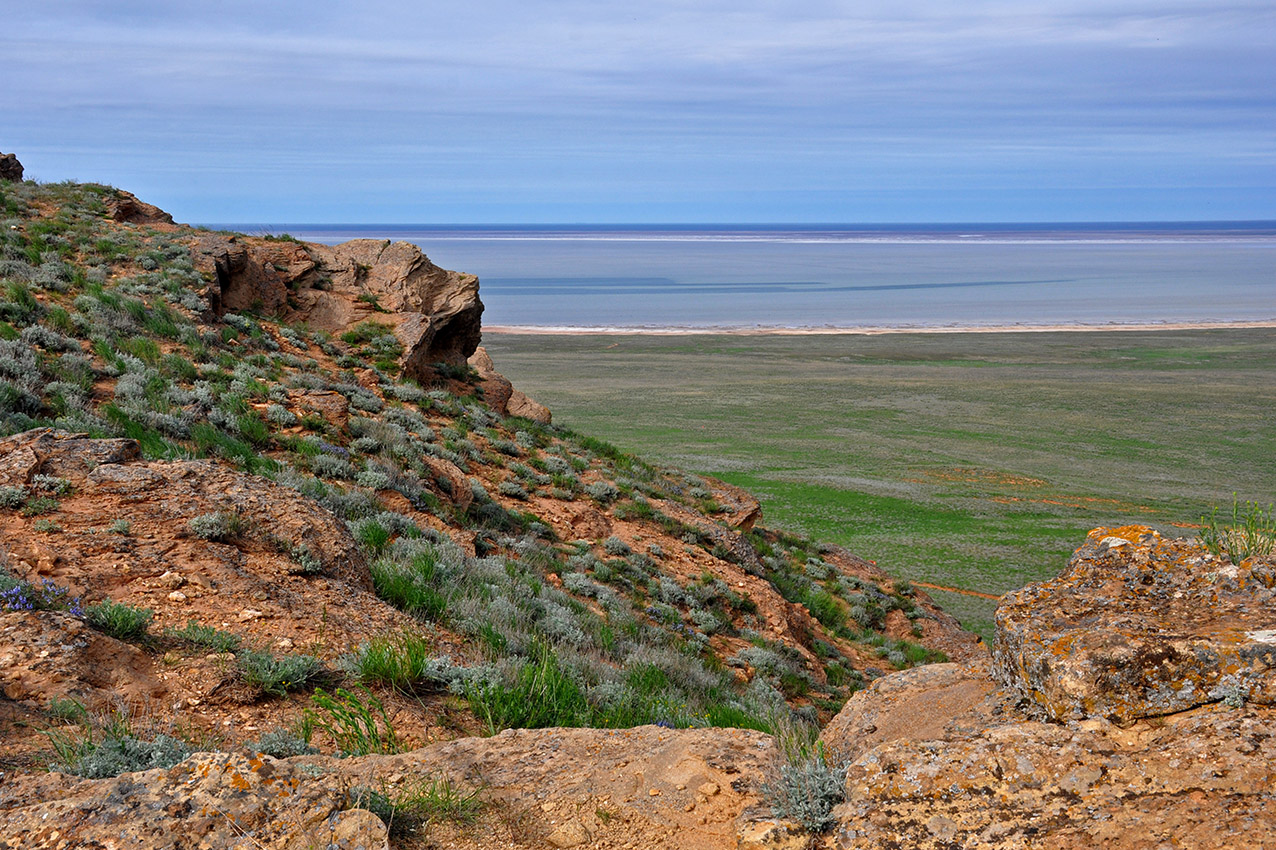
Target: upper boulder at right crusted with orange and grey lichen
column 1140, row 626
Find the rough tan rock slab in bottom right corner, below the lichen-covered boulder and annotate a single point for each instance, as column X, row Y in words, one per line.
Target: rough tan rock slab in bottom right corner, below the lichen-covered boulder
column 1200, row 779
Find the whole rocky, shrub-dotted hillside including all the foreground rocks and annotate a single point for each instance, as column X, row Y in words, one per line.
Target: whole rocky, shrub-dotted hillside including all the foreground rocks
column 286, row 563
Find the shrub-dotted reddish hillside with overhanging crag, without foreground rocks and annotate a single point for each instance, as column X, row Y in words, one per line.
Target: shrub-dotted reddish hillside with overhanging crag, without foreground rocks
column 308, row 466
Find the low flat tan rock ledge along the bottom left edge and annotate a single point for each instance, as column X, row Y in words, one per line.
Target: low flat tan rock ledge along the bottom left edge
column 545, row 788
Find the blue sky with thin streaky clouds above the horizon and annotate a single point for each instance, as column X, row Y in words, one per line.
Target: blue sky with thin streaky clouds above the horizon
column 525, row 112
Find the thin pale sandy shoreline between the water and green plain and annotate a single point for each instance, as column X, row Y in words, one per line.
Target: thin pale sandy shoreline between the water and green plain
column 876, row 331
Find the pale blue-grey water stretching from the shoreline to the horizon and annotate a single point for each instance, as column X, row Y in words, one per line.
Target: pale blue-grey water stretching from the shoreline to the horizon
column 913, row 276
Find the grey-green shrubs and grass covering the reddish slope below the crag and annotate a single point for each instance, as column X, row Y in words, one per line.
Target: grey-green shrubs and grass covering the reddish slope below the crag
column 107, row 330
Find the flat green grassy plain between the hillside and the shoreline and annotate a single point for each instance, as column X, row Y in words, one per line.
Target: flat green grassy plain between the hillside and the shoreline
column 974, row 461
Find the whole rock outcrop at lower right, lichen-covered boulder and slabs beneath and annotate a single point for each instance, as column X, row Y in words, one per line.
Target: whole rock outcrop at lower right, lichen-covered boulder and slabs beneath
column 1130, row 709
